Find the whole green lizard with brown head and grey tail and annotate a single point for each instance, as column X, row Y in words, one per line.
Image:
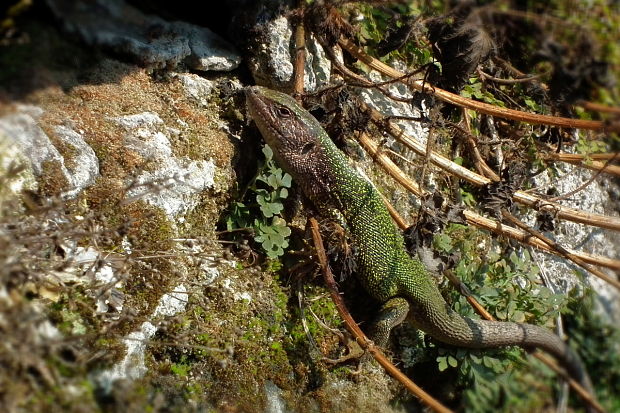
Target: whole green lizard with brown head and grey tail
column 384, row 268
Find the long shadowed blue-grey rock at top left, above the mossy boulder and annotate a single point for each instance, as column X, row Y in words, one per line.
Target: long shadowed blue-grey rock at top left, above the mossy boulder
column 148, row 40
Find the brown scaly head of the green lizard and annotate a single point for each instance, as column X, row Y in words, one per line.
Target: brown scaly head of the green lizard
column 292, row 133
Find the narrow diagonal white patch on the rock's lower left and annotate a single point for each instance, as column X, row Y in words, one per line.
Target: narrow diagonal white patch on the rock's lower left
column 133, row 366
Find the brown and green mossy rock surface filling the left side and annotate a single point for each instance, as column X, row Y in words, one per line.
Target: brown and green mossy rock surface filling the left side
column 241, row 333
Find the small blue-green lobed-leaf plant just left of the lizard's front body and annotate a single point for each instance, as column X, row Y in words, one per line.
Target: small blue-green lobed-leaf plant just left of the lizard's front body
column 268, row 191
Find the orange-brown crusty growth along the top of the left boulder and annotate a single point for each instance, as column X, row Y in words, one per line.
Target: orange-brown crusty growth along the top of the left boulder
column 89, row 108
